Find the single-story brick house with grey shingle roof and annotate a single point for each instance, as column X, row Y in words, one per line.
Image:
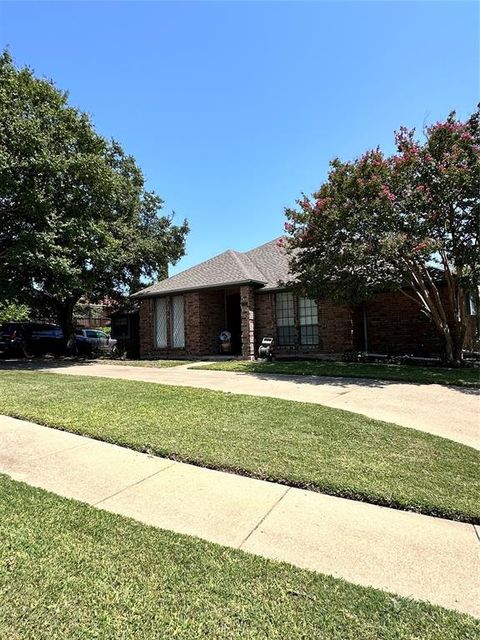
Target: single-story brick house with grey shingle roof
column 241, row 293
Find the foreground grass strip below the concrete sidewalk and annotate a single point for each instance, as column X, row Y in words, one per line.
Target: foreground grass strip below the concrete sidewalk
column 69, row 571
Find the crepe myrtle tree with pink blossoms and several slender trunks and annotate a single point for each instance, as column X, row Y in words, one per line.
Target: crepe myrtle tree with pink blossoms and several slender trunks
column 405, row 222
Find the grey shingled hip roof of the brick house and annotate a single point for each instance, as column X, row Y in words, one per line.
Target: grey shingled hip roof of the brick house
column 266, row 266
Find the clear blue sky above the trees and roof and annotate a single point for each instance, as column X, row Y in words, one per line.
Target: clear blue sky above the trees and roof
column 232, row 109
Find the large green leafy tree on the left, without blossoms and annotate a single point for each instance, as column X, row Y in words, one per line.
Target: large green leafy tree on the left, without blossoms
column 75, row 217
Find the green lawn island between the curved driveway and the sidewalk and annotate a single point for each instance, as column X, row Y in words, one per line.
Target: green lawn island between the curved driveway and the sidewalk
column 299, row 444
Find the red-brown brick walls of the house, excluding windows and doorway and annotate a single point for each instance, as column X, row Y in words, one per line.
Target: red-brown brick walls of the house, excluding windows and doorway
column 395, row 325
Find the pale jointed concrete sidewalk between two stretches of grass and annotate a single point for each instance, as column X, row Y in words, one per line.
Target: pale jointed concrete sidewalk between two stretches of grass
column 405, row 553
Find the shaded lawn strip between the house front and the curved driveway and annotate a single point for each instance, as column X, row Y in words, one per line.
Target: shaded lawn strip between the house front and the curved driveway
column 468, row 377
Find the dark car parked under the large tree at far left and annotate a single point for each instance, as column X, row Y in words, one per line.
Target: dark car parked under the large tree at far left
column 31, row 339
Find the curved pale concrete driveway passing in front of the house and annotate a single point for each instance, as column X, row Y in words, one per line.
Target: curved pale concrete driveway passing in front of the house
column 449, row 412
